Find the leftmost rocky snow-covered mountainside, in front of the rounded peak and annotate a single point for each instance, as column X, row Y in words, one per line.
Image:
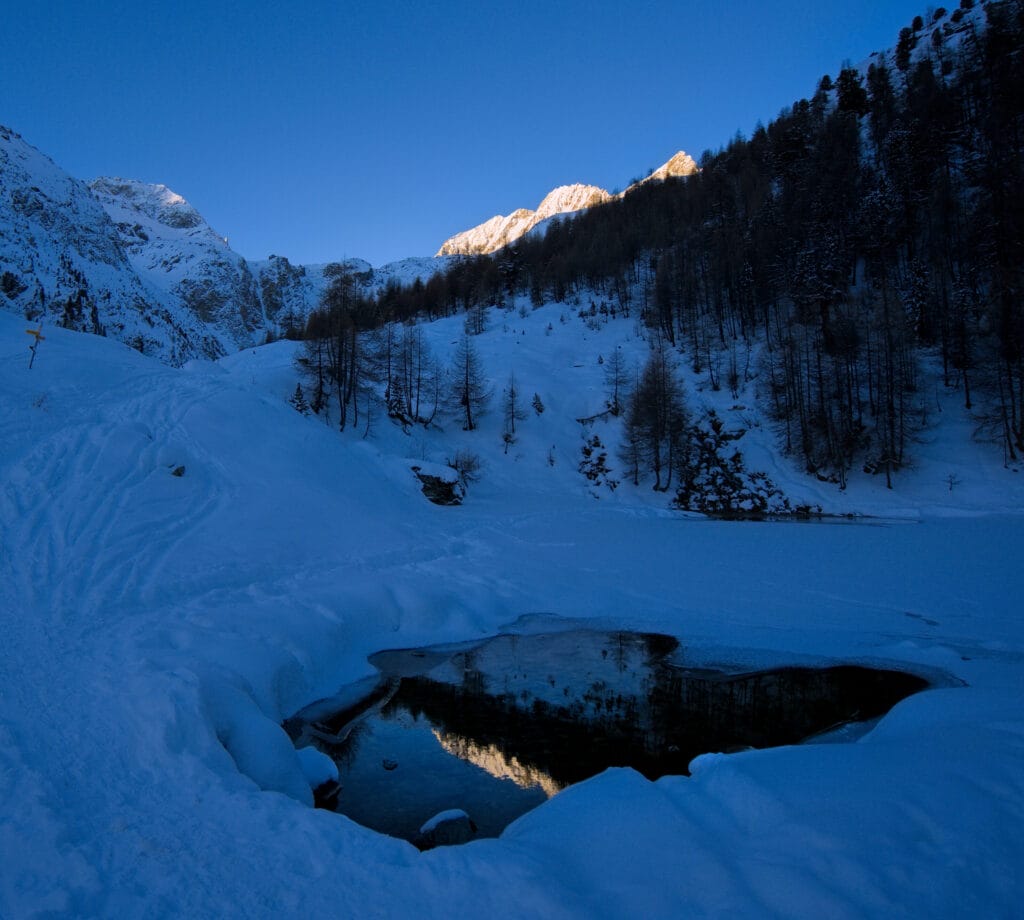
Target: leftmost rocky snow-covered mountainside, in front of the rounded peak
column 62, row 261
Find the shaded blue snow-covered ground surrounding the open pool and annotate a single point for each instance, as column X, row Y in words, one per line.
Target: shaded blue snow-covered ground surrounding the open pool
column 186, row 561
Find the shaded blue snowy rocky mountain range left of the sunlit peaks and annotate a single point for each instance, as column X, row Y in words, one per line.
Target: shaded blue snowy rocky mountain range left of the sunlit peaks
column 136, row 262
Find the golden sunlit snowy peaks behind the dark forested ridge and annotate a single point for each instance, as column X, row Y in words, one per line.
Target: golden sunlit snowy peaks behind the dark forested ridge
column 500, row 231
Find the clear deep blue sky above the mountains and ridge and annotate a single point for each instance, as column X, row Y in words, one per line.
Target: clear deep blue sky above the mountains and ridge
column 324, row 131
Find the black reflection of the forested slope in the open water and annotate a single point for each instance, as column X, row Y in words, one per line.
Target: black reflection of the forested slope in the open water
column 681, row 717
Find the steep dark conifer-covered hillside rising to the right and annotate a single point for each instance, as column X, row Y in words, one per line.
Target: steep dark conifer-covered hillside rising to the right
column 874, row 226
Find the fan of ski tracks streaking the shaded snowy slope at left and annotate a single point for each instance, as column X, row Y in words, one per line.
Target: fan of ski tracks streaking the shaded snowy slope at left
column 84, row 483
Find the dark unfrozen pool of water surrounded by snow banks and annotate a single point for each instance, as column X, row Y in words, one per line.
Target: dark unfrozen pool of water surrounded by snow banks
column 497, row 728
